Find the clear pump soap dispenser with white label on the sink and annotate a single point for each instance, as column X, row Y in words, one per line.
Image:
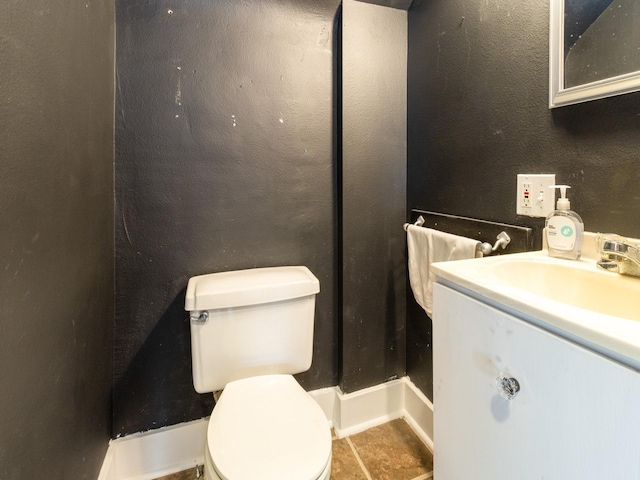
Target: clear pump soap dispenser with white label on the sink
column 565, row 229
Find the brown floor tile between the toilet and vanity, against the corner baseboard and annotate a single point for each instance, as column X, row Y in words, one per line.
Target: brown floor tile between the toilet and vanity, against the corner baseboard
column 392, row 451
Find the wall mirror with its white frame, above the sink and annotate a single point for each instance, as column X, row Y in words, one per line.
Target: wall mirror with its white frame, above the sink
column 594, row 50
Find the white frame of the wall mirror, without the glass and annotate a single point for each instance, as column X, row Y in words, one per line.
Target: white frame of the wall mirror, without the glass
column 558, row 95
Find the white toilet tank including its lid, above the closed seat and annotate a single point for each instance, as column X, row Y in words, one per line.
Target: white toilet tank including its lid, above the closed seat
column 258, row 321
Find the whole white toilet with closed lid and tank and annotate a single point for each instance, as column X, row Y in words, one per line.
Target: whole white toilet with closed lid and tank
column 251, row 330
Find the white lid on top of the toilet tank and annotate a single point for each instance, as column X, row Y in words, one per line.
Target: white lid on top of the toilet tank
column 249, row 287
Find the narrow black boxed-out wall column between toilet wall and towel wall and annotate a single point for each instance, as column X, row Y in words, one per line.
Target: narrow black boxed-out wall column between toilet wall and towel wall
column 373, row 194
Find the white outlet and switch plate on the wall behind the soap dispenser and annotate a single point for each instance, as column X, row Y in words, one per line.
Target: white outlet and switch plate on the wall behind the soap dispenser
column 534, row 197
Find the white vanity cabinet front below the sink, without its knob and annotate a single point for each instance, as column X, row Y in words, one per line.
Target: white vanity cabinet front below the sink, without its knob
column 576, row 416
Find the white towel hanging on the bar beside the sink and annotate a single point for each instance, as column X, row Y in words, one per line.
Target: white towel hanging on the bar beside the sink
column 427, row 246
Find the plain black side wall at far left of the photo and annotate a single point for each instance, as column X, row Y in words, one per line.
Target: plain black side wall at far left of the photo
column 56, row 240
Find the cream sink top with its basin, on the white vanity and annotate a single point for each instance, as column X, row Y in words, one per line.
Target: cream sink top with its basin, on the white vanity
column 573, row 299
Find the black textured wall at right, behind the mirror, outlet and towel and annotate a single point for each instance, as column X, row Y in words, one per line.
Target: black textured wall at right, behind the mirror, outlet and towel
column 478, row 116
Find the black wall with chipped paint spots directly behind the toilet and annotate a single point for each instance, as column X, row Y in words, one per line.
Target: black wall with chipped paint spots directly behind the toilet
column 226, row 159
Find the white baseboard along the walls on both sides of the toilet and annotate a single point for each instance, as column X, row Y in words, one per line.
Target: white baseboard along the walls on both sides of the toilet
column 143, row 456
